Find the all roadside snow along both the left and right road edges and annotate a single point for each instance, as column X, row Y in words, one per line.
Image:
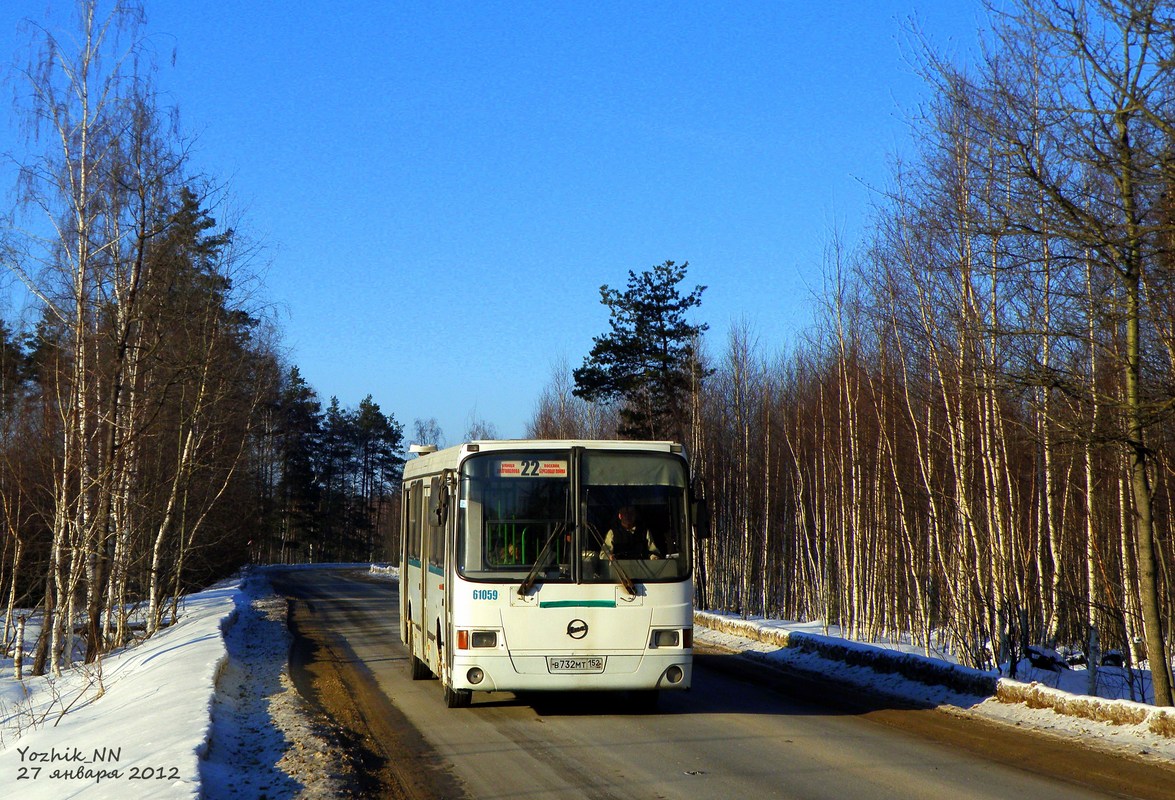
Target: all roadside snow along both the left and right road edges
column 206, row 709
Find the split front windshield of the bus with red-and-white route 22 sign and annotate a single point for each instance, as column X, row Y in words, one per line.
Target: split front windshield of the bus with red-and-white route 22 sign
column 519, row 519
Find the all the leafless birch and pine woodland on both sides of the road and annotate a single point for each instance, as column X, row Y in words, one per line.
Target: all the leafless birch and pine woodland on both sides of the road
column 972, row 445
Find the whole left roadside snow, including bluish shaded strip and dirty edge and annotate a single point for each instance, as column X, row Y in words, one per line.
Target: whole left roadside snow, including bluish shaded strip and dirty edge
column 204, row 709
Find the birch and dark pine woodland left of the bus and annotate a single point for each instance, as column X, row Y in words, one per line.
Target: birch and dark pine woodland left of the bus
column 153, row 439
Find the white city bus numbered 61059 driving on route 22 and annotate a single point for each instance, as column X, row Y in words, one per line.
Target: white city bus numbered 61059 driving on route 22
column 512, row 579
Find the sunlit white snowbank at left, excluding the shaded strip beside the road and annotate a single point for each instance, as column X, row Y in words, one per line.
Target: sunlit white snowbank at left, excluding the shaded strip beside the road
column 137, row 725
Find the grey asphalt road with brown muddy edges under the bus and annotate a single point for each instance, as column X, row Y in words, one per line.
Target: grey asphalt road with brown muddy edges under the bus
column 738, row 734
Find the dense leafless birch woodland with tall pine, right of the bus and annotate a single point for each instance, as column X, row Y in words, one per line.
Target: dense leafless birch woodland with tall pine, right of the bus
column 972, row 446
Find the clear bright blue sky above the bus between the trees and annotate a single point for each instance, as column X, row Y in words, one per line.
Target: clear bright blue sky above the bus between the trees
column 440, row 190
